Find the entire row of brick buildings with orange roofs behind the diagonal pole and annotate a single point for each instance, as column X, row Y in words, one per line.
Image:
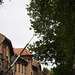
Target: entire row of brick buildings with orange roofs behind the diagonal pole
column 25, row 65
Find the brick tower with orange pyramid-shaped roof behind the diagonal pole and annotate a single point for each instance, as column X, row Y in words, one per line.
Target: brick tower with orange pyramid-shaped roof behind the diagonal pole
column 28, row 57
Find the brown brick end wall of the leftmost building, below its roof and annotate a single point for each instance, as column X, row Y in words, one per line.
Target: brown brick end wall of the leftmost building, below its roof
column 4, row 58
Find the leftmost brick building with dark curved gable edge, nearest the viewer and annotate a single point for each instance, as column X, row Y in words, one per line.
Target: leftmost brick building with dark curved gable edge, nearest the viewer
column 6, row 52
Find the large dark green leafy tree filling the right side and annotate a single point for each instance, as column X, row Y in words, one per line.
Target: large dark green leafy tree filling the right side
column 54, row 21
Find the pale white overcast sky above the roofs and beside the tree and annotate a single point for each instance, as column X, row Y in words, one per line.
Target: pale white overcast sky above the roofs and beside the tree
column 15, row 23
